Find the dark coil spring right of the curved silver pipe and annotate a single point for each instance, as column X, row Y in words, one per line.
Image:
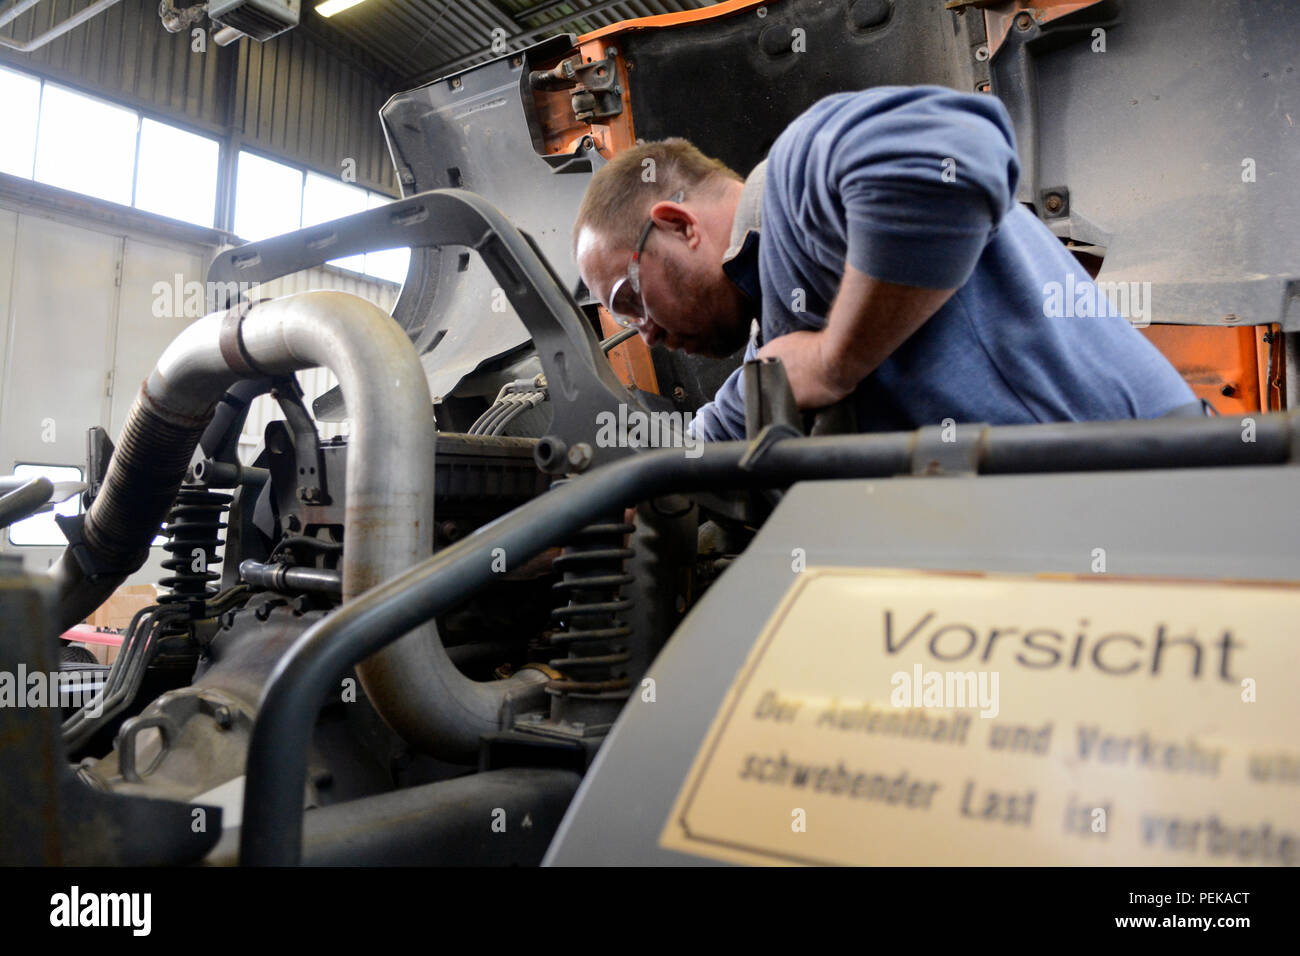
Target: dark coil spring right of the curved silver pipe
column 588, row 626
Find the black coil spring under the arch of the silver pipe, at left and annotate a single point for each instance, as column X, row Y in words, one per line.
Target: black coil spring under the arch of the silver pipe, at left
column 193, row 530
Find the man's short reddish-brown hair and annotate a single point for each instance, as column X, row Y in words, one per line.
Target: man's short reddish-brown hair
column 622, row 192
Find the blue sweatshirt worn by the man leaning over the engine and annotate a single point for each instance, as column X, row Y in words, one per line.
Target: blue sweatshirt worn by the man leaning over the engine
column 917, row 187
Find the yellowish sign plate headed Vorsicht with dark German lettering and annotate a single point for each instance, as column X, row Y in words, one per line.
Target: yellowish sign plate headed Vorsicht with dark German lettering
column 917, row 719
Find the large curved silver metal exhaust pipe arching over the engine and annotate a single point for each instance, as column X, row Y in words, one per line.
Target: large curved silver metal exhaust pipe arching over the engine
column 391, row 475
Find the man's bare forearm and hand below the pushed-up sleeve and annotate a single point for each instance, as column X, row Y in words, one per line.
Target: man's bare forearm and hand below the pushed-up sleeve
column 869, row 319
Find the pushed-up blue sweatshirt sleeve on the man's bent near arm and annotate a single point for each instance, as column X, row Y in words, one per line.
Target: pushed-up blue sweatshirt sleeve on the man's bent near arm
column 924, row 175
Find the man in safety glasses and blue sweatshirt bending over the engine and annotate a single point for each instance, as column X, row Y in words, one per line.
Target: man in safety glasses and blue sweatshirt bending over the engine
column 882, row 248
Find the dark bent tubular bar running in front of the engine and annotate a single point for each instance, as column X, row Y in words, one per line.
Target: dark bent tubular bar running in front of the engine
column 323, row 656
